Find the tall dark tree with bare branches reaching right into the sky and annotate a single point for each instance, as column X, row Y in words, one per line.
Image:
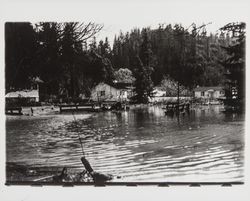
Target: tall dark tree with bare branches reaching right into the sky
column 73, row 39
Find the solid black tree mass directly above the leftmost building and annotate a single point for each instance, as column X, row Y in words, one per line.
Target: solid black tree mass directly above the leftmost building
column 20, row 55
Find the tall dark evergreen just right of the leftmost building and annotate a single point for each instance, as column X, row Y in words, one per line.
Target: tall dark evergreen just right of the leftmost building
column 48, row 65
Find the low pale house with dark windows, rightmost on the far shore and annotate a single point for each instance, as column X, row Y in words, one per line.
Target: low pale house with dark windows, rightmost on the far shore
column 209, row 92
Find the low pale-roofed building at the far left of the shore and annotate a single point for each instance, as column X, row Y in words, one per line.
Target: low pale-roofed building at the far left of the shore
column 23, row 97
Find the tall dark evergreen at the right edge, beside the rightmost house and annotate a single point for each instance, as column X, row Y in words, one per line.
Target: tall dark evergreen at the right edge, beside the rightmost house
column 235, row 64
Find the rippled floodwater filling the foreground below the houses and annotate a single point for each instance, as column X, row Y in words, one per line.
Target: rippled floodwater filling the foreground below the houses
column 142, row 144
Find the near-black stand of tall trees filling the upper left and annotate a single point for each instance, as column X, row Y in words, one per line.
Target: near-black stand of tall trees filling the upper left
column 57, row 54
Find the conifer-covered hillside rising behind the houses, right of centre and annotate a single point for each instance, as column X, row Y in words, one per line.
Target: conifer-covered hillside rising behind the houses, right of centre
column 187, row 55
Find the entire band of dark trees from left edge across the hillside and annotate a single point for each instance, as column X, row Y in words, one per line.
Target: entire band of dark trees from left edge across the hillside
column 69, row 60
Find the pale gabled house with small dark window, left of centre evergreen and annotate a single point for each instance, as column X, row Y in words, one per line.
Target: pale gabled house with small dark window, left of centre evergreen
column 112, row 92
